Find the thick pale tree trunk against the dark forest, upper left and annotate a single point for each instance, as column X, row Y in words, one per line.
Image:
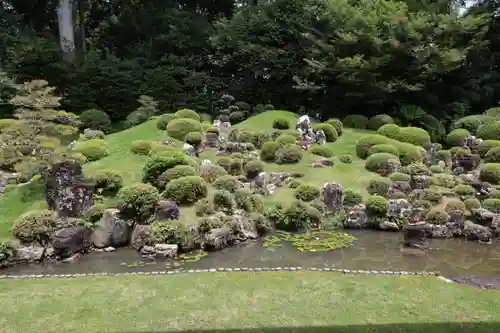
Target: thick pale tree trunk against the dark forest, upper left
column 66, row 33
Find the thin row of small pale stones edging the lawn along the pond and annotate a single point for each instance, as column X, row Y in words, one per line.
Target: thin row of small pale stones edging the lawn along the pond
column 213, row 270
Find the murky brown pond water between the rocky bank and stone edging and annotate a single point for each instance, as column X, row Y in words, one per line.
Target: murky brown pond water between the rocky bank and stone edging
column 372, row 251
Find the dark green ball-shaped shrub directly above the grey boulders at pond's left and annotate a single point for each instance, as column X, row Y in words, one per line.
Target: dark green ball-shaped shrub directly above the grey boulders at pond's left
column 138, row 201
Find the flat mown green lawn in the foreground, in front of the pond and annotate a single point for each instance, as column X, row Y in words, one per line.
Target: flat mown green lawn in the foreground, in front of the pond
column 236, row 302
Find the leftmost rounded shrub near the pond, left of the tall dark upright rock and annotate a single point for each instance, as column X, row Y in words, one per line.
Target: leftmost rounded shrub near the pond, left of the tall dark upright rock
column 36, row 225
